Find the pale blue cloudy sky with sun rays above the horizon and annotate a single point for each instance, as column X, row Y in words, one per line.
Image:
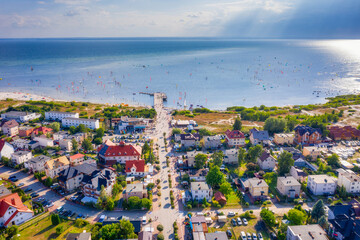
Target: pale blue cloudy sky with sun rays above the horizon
column 180, row 18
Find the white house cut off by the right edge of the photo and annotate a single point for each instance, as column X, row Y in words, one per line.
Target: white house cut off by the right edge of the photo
column 349, row 180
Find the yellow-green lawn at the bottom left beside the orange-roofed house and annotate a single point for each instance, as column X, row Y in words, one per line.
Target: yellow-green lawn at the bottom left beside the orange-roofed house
column 45, row 230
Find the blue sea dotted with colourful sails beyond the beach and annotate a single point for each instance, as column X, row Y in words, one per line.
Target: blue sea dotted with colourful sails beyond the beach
column 193, row 72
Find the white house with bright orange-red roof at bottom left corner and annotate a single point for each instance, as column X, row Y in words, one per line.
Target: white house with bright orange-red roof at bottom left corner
column 13, row 211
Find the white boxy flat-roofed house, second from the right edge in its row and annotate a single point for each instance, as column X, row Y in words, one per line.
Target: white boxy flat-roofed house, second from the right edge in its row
column 321, row 184
